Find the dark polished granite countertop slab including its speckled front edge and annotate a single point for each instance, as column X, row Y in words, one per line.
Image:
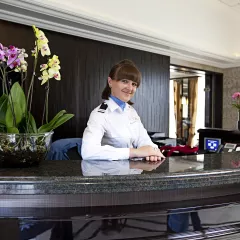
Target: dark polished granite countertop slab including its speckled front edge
column 98, row 176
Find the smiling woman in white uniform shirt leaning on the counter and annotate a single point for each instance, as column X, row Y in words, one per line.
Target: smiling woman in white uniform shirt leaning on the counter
column 114, row 130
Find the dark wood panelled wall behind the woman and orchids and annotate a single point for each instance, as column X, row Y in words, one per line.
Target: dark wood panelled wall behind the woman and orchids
column 85, row 66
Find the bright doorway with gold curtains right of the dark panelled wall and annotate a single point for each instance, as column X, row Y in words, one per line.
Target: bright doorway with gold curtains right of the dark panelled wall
column 192, row 97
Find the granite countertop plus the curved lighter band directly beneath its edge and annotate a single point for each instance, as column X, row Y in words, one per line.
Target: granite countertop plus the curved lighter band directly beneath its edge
column 105, row 183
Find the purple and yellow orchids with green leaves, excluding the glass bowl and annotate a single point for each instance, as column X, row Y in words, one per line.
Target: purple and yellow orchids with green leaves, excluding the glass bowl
column 16, row 101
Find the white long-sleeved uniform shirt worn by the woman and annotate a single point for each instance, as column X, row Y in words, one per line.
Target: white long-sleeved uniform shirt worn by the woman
column 111, row 132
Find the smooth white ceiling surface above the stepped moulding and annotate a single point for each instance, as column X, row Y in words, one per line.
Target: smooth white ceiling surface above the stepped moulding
column 204, row 24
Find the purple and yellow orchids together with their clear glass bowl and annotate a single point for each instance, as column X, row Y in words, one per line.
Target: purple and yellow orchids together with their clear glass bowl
column 22, row 142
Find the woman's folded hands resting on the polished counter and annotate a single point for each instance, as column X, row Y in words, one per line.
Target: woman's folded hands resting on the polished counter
column 149, row 152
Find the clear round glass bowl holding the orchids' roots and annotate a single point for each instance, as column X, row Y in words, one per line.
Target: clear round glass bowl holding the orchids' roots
column 23, row 150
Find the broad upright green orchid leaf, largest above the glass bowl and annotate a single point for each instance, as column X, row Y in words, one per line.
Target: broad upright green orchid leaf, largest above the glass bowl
column 16, row 103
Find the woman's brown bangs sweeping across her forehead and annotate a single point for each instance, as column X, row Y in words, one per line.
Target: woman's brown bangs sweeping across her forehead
column 129, row 72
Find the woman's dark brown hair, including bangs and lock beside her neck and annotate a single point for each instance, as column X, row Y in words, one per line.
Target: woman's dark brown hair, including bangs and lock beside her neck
column 125, row 69
